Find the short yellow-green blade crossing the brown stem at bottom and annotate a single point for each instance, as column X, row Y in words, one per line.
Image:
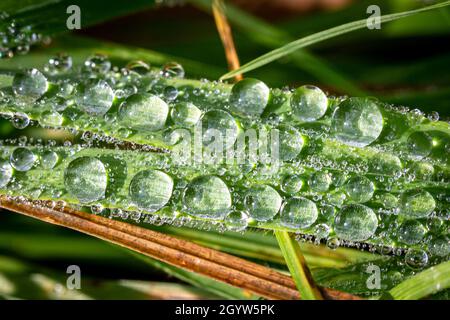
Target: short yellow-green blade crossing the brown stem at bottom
column 297, row 267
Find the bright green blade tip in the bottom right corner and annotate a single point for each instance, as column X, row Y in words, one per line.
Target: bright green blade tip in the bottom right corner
column 423, row 284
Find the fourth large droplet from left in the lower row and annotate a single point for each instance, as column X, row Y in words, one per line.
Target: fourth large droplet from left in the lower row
column 262, row 202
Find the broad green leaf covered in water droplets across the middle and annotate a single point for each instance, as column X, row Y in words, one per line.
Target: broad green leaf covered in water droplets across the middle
column 337, row 179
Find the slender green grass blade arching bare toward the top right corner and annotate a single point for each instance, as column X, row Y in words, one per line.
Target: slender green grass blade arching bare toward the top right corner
column 322, row 36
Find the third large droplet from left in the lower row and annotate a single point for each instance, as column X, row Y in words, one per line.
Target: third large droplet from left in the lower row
column 207, row 197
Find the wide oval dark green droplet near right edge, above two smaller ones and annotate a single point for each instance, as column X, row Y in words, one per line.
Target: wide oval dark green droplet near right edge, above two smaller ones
column 417, row 203
